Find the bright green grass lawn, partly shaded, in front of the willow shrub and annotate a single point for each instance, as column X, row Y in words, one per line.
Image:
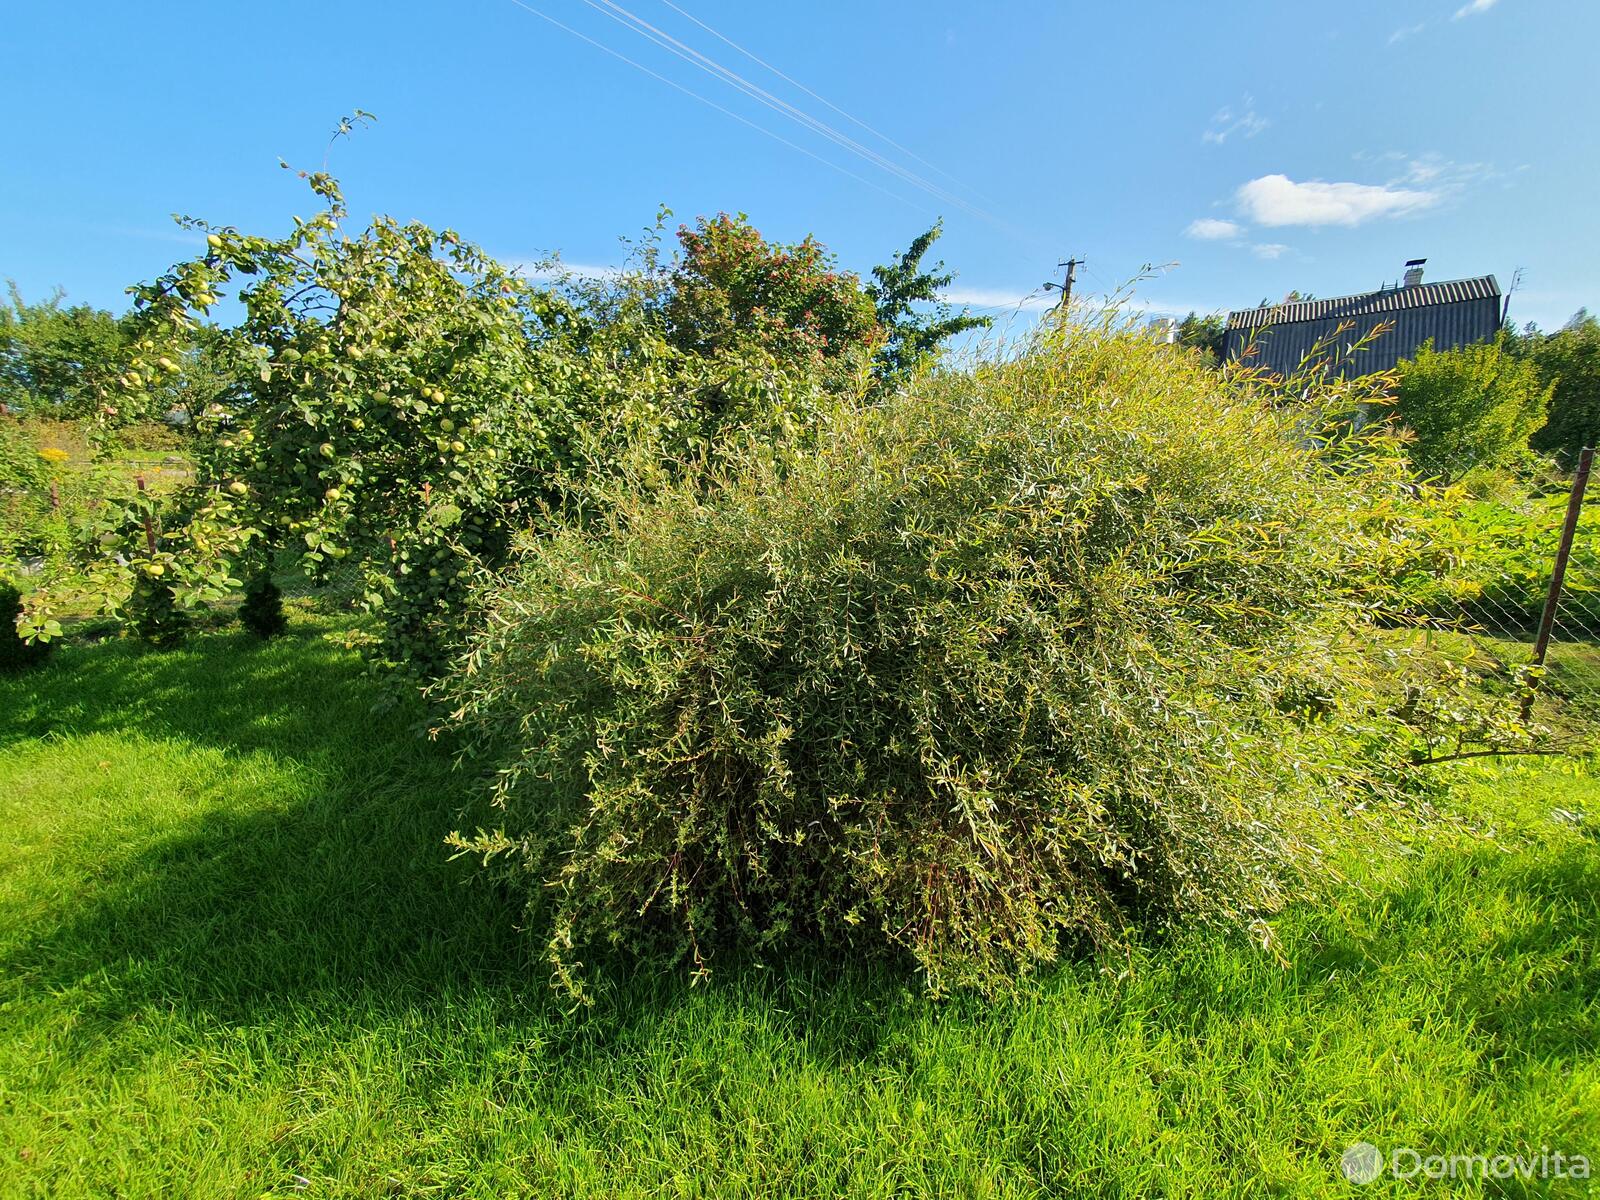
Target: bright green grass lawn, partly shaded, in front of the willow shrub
column 238, row 962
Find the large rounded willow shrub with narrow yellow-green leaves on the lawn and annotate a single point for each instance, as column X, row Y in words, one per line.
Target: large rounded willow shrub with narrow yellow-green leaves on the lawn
column 983, row 674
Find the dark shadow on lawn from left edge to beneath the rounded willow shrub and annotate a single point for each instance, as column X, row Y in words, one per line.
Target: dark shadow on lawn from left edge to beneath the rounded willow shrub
column 338, row 905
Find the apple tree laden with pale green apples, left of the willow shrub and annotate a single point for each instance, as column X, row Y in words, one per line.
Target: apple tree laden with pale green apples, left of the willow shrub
column 394, row 399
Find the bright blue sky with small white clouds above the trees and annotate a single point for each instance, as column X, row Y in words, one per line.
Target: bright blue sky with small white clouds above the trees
column 1260, row 145
